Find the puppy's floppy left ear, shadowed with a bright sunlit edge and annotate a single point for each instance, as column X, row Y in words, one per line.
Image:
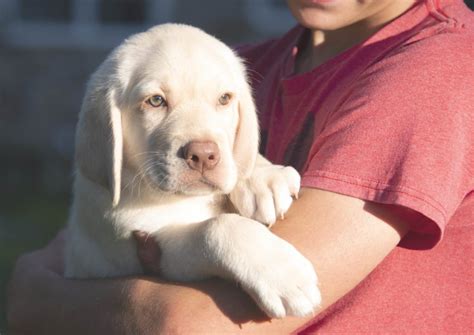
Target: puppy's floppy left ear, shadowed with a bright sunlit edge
column 99, row 140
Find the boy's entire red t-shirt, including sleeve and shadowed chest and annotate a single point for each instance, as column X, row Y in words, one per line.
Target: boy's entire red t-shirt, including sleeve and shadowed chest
column 391, row 121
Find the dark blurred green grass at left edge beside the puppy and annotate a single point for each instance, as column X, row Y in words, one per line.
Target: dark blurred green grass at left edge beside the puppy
column 26, row 223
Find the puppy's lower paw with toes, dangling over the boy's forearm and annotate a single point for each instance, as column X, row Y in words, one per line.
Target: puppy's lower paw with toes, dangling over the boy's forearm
column 285, row 286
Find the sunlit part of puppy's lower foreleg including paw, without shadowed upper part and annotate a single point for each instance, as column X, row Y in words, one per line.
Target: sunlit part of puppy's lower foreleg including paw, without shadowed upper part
column 273, row 272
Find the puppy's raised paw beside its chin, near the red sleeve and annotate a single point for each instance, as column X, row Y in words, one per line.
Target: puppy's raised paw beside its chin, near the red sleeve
column 267, row 194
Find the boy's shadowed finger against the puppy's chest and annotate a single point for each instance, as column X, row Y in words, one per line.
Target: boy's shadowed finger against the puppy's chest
column 148, row 252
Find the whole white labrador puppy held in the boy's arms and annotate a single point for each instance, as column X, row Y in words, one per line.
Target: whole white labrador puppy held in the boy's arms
column 167, row 130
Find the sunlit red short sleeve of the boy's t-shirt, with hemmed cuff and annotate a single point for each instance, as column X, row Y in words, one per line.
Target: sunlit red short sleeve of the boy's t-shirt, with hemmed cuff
column 404, row 136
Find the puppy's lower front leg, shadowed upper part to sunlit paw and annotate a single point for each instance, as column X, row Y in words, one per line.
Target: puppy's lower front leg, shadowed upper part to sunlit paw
column 280, row 280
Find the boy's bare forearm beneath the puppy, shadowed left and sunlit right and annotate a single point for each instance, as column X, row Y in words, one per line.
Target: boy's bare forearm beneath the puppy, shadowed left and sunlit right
column 42, row 302
